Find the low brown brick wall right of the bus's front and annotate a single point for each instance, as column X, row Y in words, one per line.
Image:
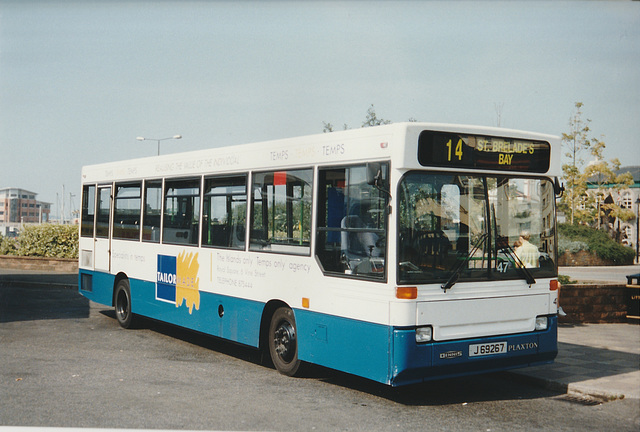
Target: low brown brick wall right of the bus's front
column 593, row 303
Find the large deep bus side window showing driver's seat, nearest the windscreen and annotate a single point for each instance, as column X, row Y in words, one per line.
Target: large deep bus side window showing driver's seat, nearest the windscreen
column 352, row 222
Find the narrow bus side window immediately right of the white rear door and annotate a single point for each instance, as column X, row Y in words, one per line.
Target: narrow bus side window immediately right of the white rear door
column 126, row 211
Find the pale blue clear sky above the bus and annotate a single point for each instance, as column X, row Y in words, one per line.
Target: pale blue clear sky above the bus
column 80, row 80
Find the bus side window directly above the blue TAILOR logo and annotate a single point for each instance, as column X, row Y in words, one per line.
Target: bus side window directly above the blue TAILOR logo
column 181, row 212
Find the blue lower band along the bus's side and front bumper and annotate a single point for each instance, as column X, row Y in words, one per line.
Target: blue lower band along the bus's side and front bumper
column 378, row 352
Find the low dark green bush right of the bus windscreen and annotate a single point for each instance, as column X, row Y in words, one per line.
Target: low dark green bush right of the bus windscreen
column 597, row 242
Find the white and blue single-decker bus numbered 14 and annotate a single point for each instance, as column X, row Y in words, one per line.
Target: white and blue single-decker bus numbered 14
column 399, row 253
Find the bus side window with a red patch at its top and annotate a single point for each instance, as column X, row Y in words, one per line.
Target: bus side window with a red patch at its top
column 281, row 212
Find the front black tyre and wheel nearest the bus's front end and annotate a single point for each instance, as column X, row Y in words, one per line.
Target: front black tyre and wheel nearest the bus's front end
column 283, row 342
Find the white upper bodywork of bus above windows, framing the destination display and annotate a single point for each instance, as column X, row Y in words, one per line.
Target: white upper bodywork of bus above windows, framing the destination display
column 372, row 143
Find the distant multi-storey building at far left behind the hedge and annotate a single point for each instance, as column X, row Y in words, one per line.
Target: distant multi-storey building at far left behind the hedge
column 19, row 206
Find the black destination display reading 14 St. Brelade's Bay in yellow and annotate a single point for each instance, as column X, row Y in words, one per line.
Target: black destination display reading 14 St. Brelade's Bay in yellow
column 442, row 149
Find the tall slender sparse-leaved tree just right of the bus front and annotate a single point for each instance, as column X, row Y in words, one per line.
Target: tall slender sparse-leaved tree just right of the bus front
column 575, row 141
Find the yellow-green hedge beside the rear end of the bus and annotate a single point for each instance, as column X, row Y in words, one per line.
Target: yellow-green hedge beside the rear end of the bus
column 51, row 241
